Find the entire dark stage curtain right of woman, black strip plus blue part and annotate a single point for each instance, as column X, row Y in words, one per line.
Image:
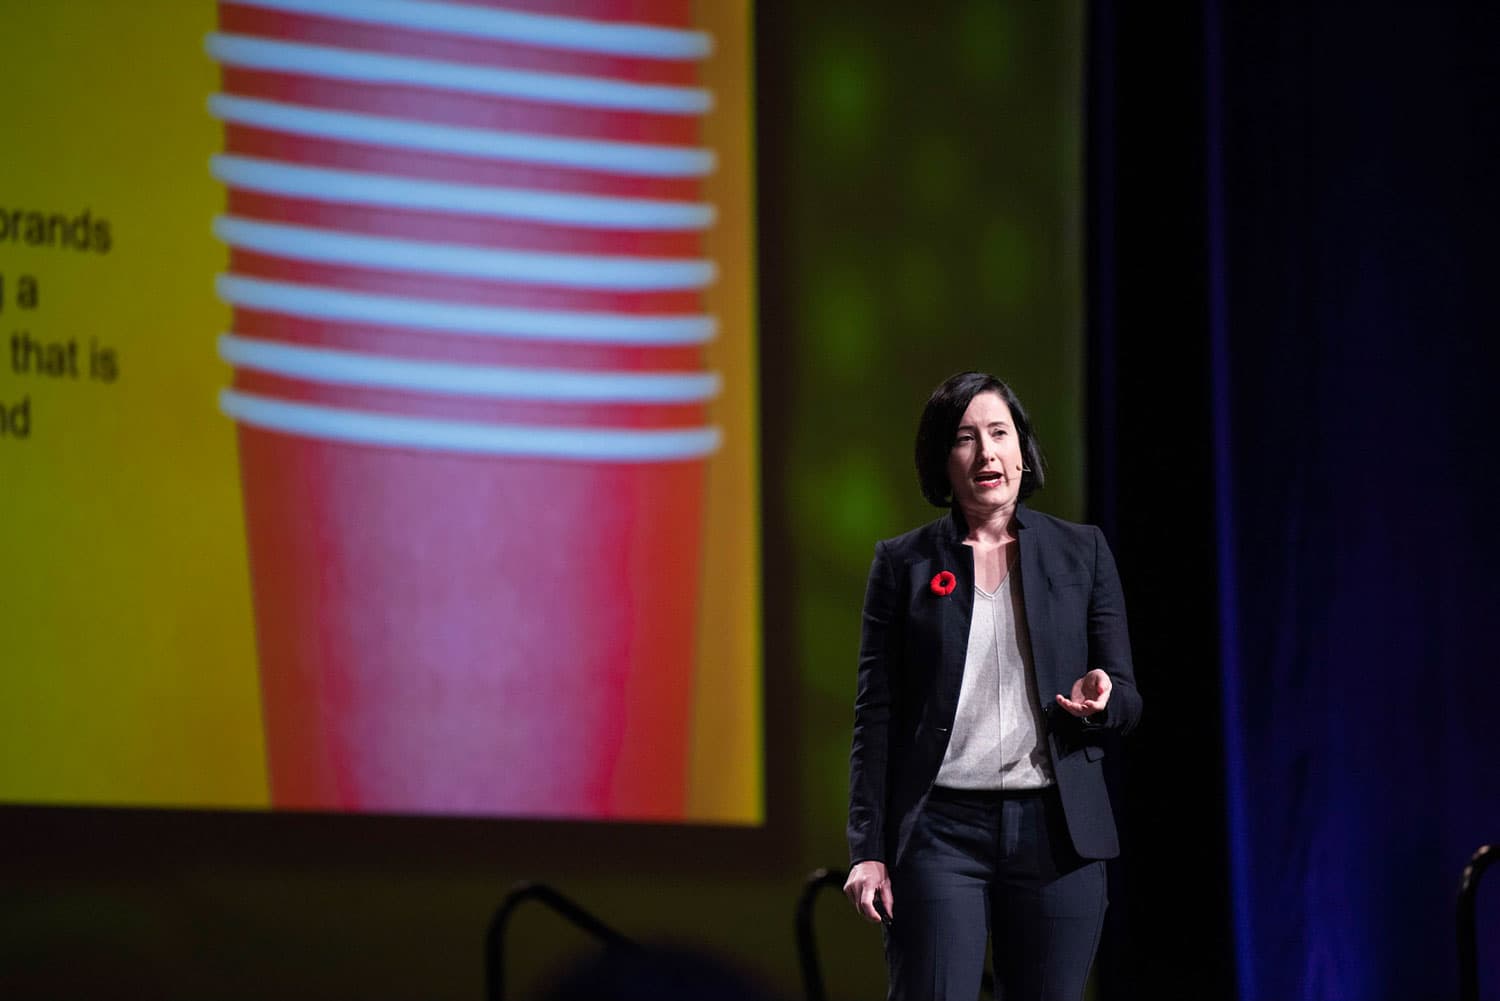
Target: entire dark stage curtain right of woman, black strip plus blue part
column 1310, row 326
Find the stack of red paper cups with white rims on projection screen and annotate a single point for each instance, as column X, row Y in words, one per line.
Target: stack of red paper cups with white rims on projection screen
column 466, row 274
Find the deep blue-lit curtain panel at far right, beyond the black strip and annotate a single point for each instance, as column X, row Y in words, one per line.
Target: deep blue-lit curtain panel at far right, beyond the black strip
column 1351, row 233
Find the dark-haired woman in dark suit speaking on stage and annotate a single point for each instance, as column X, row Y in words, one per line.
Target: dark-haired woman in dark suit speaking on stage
column 994, row 664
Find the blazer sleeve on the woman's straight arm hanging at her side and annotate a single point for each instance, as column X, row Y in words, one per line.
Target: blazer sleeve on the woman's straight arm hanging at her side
column 880, row 649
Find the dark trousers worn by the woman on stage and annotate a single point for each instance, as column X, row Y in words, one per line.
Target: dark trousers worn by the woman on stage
column 994, row 868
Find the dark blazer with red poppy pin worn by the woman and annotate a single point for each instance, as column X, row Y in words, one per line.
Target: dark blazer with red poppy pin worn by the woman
column 911, row 667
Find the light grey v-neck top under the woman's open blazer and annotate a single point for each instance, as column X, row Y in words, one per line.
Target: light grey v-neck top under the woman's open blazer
column 998, row 739
